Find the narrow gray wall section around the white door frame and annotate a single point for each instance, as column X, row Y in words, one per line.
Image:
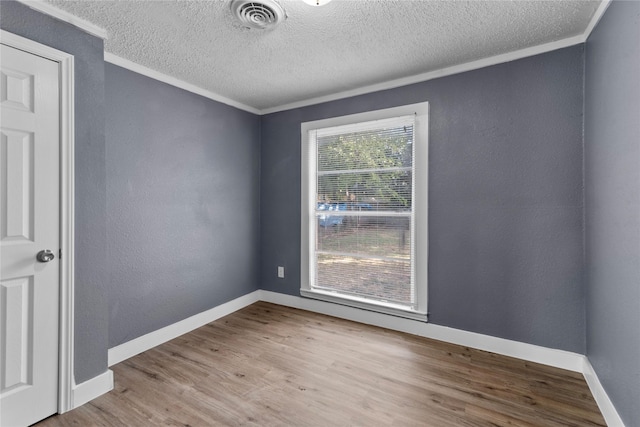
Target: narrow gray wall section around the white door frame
column 91, row 321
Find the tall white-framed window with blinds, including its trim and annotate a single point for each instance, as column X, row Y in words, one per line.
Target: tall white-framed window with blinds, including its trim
column 364, row 210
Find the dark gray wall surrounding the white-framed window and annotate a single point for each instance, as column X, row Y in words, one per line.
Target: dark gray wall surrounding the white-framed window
column 505, row 197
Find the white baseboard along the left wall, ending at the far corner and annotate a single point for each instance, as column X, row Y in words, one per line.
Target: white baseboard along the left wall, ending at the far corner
column 138, row 345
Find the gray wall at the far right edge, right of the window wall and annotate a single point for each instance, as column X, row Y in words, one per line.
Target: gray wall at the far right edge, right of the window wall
column 612, row 184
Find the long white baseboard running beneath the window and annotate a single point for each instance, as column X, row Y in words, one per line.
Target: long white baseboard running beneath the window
column 533, row 353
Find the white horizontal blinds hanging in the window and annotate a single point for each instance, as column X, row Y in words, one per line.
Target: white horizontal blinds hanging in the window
column 361, row 230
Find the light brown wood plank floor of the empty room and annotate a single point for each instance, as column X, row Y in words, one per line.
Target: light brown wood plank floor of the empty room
column 268, row 365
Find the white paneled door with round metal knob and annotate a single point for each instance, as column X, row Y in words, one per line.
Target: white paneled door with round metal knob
column 29, row 220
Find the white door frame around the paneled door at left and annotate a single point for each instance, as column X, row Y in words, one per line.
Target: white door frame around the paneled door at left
column 65, row 62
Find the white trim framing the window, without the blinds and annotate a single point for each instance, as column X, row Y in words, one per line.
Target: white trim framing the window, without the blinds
column 420, row 203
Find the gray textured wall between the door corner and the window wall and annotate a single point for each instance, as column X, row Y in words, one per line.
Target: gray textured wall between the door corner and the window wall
column 182, row 203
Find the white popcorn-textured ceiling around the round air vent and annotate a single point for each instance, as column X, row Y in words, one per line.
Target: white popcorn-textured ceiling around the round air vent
column 319, row 51
